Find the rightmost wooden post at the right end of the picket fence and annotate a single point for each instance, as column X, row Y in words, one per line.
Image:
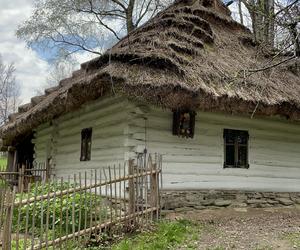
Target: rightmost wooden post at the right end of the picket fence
column 154, row 192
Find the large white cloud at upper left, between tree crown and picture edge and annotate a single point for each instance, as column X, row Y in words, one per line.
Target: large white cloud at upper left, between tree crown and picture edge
column 31, row 70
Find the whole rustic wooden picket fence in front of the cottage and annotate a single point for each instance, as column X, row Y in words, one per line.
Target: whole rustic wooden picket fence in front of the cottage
column 87, row 205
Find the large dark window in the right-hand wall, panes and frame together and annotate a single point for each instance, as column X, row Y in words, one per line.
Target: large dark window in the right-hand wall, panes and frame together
column 236, row 148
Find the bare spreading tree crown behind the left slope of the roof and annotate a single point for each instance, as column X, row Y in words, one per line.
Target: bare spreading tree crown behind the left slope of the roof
column 68, row 26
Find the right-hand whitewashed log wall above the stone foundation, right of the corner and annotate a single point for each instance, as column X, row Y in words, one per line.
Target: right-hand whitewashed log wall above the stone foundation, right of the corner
column 274, row 152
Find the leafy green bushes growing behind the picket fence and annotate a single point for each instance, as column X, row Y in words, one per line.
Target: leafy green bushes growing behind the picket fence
column 56, row 213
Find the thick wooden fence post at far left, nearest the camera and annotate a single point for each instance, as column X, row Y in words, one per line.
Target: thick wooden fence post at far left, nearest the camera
column 6, row 237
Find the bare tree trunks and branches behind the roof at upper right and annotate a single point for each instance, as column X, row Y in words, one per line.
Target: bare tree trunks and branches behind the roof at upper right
column 275, row 23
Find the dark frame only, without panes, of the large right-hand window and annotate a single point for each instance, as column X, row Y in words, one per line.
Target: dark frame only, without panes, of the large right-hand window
column 236, row 145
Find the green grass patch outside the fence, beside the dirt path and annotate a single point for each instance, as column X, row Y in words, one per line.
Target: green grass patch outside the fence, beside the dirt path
column 166, row 235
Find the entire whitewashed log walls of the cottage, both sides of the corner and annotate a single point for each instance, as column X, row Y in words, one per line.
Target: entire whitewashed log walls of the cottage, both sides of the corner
column 121, row 129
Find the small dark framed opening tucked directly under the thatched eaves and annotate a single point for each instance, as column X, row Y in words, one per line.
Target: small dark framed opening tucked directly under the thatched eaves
column 184, row 123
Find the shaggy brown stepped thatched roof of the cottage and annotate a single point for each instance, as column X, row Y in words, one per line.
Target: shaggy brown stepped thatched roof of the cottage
column 191, row 55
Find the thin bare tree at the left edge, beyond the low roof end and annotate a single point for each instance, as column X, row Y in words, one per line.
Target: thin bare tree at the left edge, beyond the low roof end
column 9, row 91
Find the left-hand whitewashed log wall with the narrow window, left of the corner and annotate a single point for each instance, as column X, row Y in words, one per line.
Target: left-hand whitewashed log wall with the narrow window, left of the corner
column 62, row 139
